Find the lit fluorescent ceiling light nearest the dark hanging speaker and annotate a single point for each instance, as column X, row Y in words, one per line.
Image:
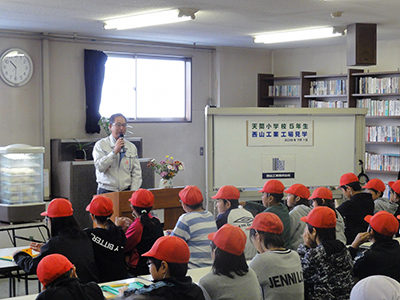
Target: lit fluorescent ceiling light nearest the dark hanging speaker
column 297, row 35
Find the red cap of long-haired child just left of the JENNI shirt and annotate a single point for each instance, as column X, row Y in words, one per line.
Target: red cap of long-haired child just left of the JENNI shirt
column 229, row 238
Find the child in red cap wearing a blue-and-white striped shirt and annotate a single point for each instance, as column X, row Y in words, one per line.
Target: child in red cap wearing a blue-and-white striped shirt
column 194, row 226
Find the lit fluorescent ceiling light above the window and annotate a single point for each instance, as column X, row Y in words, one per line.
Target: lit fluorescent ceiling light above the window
column 151, row 19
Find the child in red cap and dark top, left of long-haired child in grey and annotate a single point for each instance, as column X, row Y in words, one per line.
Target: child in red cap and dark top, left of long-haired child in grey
column 168, row 264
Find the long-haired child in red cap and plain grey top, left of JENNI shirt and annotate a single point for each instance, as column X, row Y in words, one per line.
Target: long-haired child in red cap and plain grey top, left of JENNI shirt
column 230, row 278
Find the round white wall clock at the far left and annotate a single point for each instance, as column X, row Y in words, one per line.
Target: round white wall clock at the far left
column 16, row 67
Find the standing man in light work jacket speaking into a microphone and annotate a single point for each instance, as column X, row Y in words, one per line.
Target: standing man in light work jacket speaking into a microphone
column 116, row 160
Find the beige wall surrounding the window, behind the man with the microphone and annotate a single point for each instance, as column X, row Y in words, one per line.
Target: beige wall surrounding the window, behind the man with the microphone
column 63, row 100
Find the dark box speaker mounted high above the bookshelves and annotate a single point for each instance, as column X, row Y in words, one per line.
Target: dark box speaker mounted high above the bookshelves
column 361, row 44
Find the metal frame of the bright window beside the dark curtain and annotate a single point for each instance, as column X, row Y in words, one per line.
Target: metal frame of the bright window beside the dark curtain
column 188, row 85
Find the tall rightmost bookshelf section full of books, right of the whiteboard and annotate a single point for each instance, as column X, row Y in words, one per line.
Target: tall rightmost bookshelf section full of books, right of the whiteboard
column 379, row 92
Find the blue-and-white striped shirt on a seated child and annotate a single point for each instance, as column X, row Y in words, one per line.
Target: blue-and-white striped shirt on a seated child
column 194, row 228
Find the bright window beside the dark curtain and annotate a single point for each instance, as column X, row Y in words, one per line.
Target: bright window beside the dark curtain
column 147, row 88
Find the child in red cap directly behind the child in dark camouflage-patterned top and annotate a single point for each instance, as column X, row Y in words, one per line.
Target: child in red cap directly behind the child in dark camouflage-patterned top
column 323, row 196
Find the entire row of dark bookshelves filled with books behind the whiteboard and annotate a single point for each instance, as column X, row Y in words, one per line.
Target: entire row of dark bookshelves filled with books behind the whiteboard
column 377, row 91
